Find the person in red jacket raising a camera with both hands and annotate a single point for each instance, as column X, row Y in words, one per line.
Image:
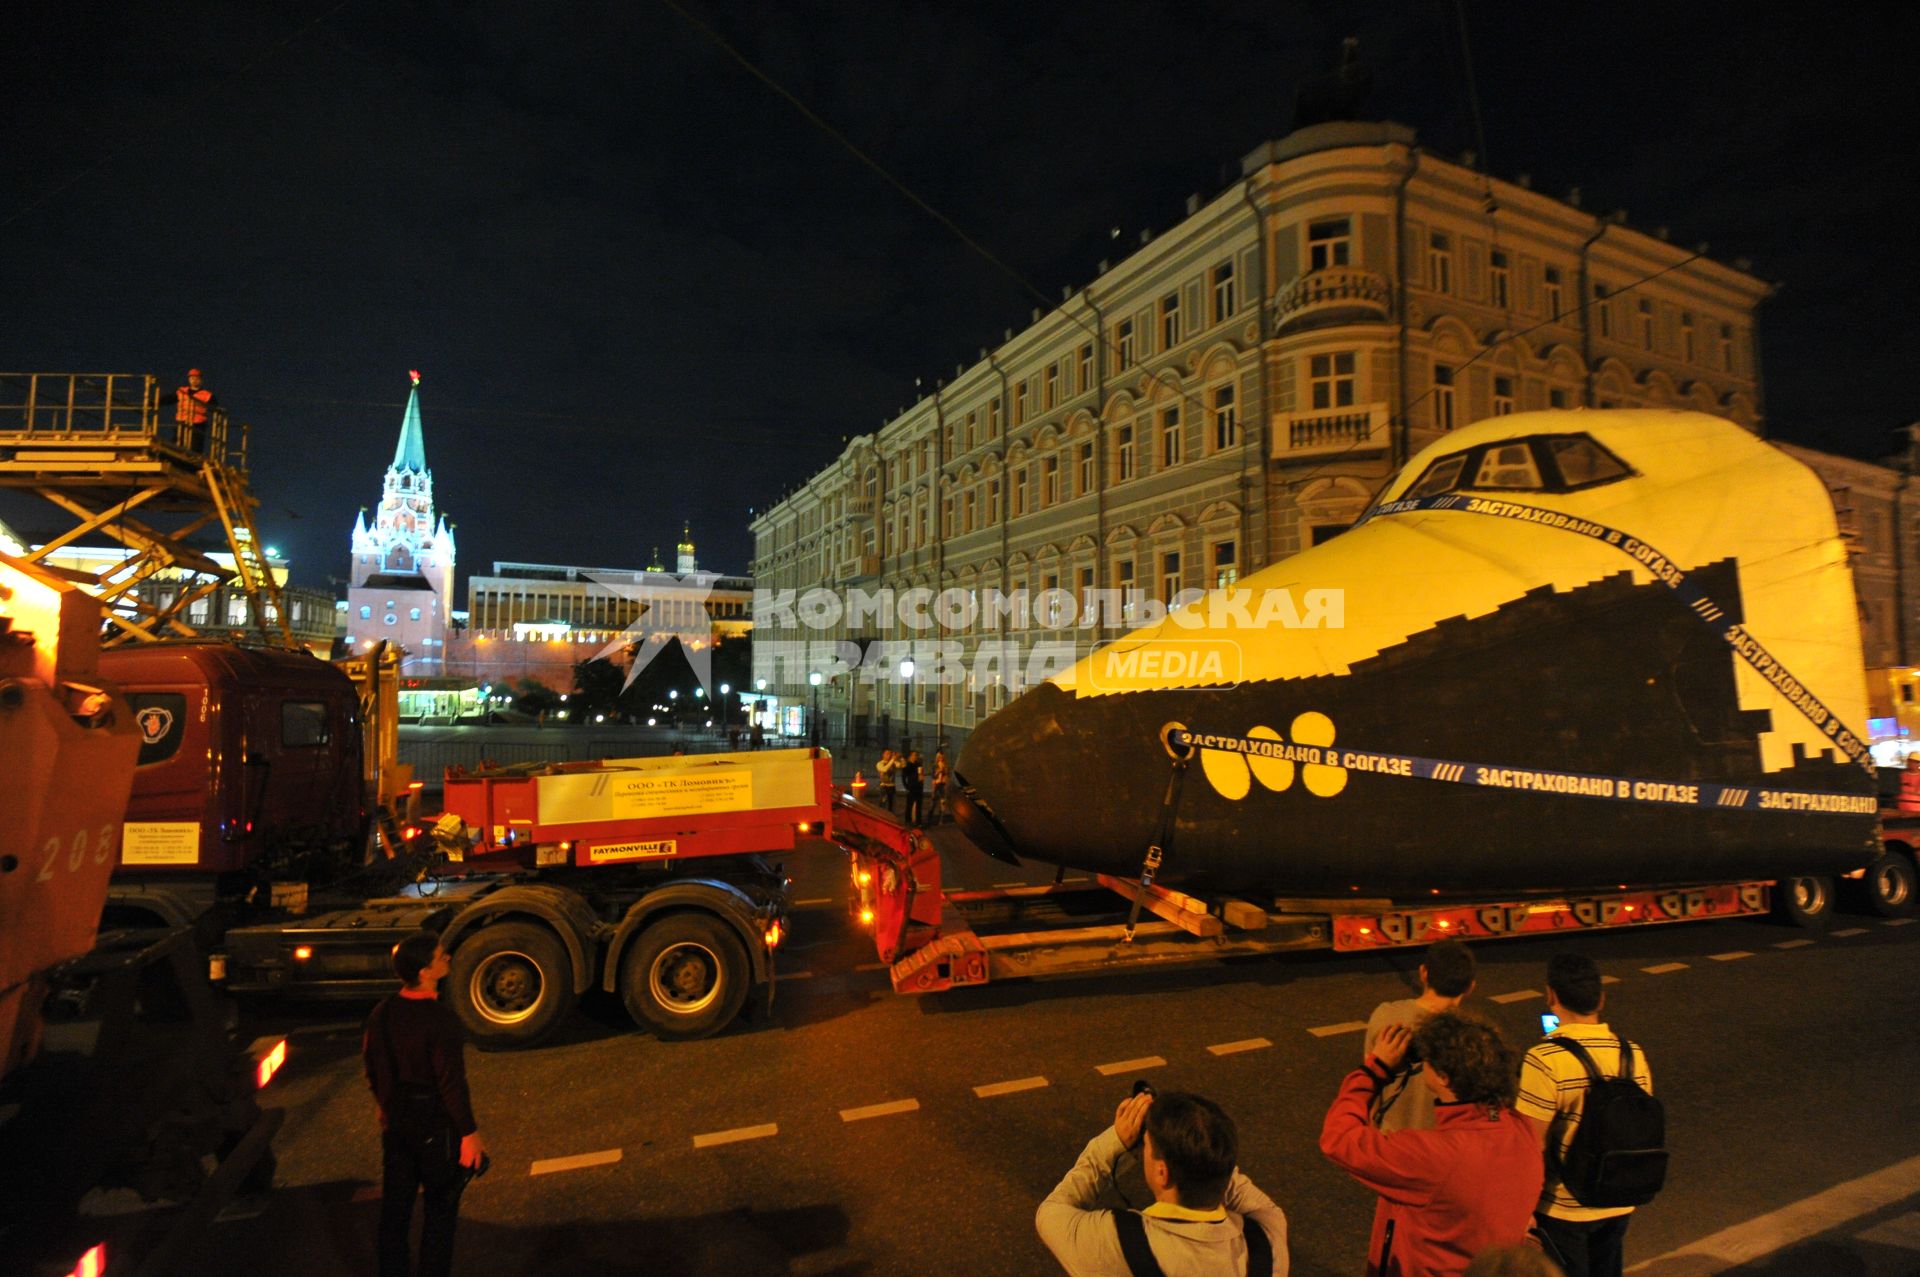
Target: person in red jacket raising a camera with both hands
column 1468, row 1184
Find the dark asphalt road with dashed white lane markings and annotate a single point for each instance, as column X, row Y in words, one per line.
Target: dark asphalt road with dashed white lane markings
column 855, row 1138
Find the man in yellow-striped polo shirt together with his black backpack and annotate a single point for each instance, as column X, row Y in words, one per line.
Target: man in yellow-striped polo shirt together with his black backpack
column 1589, row 1096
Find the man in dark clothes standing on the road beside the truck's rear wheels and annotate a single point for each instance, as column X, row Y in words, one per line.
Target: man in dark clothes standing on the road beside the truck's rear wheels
column 429, row 1138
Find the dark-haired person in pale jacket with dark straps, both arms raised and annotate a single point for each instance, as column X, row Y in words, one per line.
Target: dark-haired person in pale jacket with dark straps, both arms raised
column 1207, row 1220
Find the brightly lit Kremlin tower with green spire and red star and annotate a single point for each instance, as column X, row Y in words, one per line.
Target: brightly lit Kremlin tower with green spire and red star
column 402, row 575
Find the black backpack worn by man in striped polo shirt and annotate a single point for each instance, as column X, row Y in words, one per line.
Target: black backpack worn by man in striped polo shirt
column 1618, row 1155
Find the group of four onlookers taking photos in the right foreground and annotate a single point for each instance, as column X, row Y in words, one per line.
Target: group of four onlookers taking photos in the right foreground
column 1483, row 1163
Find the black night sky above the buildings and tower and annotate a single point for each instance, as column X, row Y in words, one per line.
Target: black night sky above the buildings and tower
column 646, row 289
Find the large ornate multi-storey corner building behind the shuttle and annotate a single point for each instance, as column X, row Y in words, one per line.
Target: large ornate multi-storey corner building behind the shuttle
column 1232, row 393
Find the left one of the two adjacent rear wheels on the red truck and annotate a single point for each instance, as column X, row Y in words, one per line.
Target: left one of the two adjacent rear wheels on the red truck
column 510, row 986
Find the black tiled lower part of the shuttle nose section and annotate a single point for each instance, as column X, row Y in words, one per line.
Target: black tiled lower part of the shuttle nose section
column 1612, row 679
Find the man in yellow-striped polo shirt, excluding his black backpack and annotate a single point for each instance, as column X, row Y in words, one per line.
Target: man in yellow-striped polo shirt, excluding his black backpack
column 1554, row 1084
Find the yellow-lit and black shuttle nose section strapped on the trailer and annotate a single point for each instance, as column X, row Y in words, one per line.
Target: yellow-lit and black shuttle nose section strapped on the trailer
column 1562, row 650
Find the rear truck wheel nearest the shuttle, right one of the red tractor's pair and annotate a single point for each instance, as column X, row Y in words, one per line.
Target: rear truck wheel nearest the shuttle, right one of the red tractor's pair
column 684, row 976
